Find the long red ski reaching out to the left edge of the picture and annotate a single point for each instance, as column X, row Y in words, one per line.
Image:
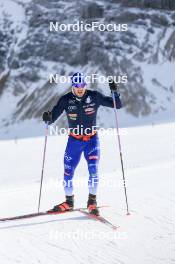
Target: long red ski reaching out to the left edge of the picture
column 32, row 215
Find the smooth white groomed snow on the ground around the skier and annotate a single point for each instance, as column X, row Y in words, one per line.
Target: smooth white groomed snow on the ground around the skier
column 146, row 236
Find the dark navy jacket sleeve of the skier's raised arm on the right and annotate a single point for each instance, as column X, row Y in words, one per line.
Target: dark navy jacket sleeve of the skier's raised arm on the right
column 108, row 101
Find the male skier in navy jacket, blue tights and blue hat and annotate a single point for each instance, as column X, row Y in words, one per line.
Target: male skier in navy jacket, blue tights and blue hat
column 81, row 107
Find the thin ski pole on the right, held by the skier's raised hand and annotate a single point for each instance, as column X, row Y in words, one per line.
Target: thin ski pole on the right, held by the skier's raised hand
column 120, row 150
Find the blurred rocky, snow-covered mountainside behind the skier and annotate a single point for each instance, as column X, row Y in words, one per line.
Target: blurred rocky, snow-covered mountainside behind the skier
column 29, row 53
